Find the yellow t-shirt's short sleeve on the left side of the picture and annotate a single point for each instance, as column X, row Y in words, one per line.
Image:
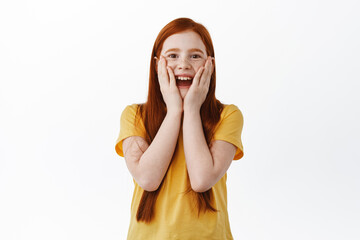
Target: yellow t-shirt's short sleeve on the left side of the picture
column 130, row 125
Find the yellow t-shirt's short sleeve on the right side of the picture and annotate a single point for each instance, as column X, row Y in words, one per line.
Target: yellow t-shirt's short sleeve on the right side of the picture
column 230, row 127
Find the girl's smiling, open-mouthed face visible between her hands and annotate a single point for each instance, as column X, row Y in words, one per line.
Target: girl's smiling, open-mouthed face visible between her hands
column 185, row 53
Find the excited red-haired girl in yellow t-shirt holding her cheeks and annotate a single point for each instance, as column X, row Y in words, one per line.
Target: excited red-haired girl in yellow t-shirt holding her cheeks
column 179, row 144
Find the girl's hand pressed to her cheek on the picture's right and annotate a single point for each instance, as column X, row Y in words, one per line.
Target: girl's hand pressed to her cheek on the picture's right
column 199, row 88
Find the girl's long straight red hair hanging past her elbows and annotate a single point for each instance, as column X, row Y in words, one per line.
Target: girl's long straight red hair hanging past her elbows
column 154, row 110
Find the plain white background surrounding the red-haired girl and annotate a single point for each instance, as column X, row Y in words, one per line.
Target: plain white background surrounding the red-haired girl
column 68, row 68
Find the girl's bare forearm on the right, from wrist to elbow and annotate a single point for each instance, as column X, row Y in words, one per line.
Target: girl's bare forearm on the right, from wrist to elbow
column 199, row 160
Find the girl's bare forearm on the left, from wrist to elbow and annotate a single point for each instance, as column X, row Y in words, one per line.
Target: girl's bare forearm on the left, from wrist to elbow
column 155, row 160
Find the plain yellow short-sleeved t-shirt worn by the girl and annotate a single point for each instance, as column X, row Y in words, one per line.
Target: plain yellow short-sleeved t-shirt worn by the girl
column 175, row 213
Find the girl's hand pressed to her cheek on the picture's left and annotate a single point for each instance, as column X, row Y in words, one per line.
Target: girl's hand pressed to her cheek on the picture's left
column 168, row 88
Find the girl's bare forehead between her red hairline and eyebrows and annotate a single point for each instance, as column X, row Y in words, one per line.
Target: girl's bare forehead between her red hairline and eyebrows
column 184, row 41
